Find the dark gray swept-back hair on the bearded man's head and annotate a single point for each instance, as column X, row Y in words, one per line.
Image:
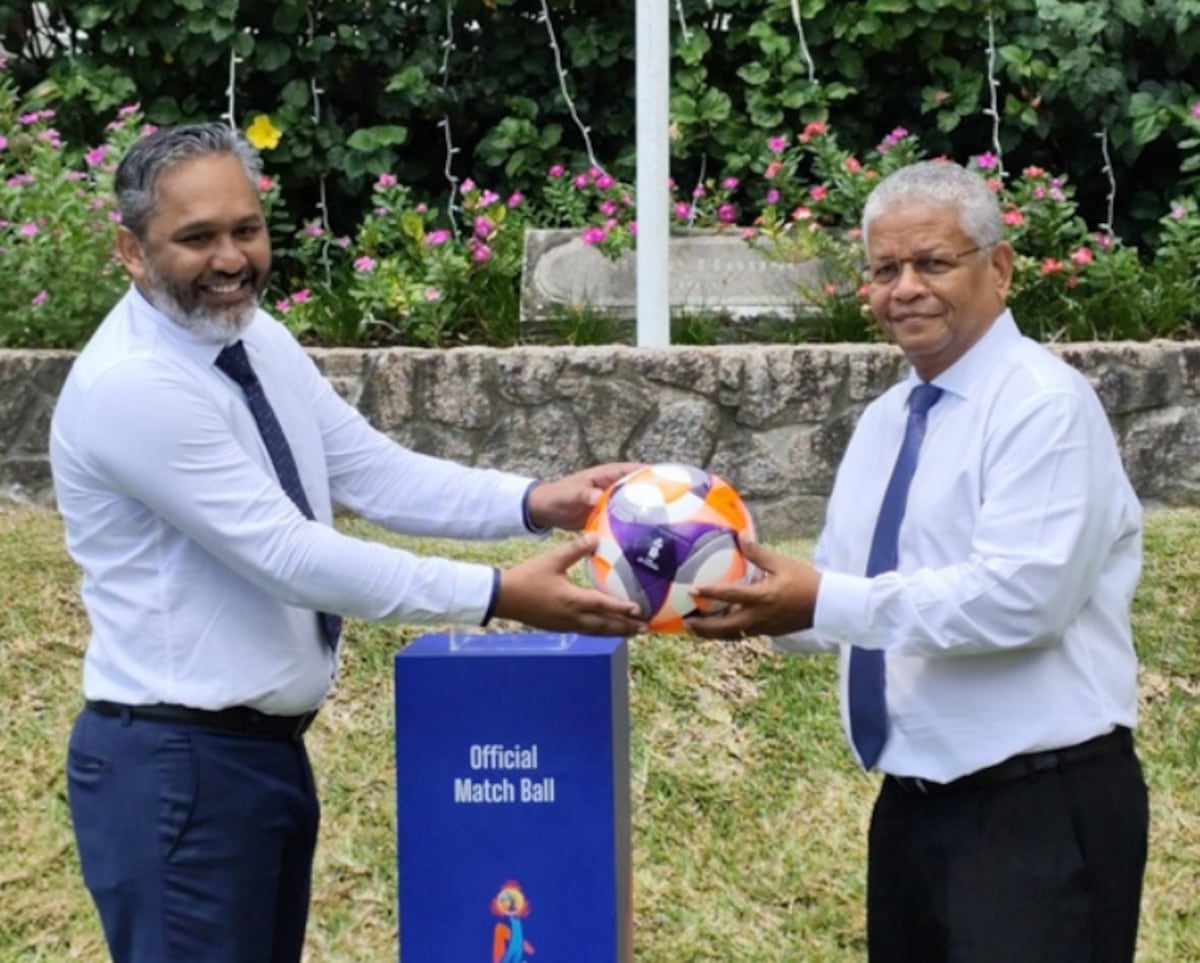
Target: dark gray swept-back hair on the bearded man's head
column 154, row 155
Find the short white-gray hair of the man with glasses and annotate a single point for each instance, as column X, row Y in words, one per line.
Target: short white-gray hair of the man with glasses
column 940, row 183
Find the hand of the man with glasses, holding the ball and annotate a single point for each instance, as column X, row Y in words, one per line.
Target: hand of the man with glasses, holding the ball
column 781, row 601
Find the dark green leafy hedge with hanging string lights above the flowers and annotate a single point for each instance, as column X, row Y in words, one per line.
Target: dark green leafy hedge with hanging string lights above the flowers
column 439, row 94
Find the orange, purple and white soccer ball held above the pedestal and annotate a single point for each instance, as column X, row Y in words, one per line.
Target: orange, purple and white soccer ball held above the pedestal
column 664, row 529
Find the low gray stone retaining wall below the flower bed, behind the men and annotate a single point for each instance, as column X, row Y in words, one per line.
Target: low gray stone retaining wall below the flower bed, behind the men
column 773, row 420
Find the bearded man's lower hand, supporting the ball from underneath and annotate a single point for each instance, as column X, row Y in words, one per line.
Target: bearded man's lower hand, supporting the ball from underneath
column 539, row 594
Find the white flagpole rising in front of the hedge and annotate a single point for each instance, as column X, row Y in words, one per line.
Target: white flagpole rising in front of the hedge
column 653, row 171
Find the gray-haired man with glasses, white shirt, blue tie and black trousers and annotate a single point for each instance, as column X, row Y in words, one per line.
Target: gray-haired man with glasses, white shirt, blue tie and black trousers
column 976, row 570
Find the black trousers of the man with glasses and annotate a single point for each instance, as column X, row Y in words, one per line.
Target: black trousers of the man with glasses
column 1046, row 869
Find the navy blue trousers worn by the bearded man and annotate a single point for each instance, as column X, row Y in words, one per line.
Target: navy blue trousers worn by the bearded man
column 196, row 845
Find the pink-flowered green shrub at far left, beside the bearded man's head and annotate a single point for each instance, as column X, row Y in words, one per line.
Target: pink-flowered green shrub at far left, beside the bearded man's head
column 57, row 222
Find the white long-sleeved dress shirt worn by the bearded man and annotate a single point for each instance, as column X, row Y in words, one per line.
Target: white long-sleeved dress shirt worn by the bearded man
column 201, row 578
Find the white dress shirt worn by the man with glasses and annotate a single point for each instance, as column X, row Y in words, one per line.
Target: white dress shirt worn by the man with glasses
column 1007, row 623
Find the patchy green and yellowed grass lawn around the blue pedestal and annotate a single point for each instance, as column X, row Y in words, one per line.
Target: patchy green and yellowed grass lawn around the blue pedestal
column 749, row 817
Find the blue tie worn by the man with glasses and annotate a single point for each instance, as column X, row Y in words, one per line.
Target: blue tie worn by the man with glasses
column 868, row 674
